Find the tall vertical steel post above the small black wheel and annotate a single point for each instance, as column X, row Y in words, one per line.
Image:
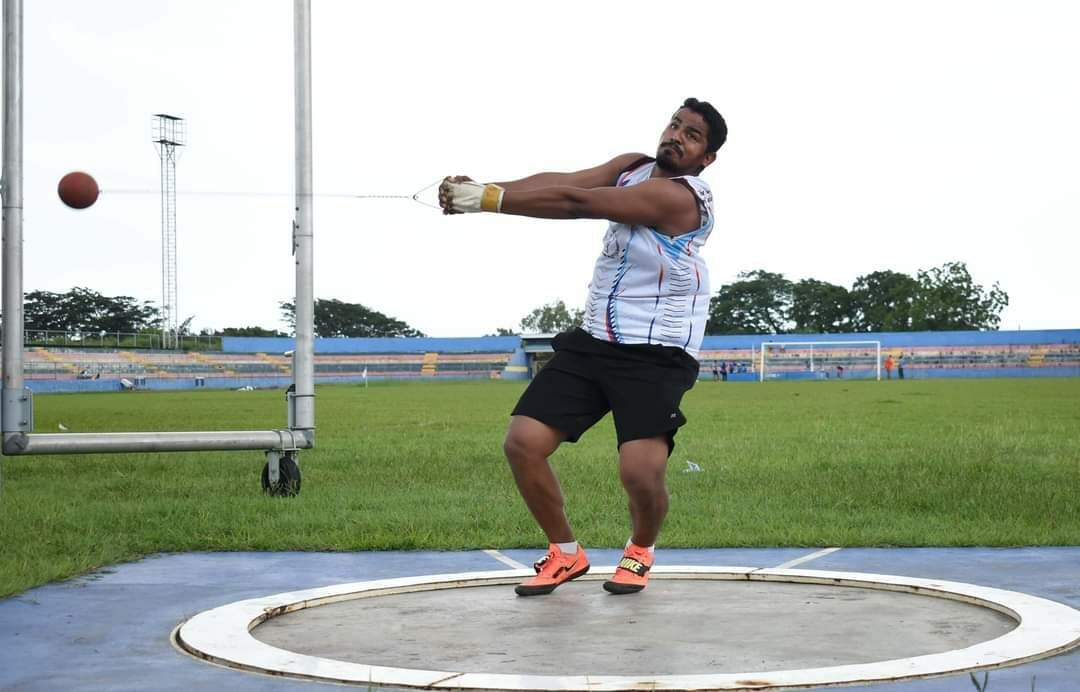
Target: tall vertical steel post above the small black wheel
column 304, row 362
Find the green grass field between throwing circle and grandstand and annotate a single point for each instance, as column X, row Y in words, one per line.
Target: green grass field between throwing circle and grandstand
column 420, row 466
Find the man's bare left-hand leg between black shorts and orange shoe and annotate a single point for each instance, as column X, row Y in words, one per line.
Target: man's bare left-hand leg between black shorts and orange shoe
column 528, row 446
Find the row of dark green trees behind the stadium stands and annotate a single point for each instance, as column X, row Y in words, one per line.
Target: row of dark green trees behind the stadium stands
column 941, row 298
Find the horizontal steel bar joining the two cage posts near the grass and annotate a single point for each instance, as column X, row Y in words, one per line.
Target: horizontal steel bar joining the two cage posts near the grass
column 218, row 441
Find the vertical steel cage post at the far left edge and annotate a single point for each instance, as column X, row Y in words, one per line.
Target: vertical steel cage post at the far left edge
column 16, row 402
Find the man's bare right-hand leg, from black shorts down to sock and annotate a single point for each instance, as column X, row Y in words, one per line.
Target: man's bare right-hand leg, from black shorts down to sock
column 642, row 466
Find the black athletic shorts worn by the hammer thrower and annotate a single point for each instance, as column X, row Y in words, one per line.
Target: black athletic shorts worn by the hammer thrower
column 641, row 385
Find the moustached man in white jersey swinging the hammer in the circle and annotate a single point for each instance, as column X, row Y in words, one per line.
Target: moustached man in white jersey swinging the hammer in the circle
column 645, row 318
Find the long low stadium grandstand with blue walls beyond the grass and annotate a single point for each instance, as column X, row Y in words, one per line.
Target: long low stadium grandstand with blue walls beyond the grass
column 267, row 362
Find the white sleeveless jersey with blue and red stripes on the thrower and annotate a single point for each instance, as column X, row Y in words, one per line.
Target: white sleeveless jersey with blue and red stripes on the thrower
column 649, row 288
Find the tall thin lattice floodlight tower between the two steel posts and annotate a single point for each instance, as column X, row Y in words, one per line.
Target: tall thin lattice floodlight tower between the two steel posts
column 168, row 137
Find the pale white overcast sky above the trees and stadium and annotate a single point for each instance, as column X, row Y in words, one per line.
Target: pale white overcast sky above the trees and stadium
column 865, row 137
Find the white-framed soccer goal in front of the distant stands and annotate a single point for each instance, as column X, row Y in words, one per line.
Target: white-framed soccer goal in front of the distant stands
column 820, row 360
